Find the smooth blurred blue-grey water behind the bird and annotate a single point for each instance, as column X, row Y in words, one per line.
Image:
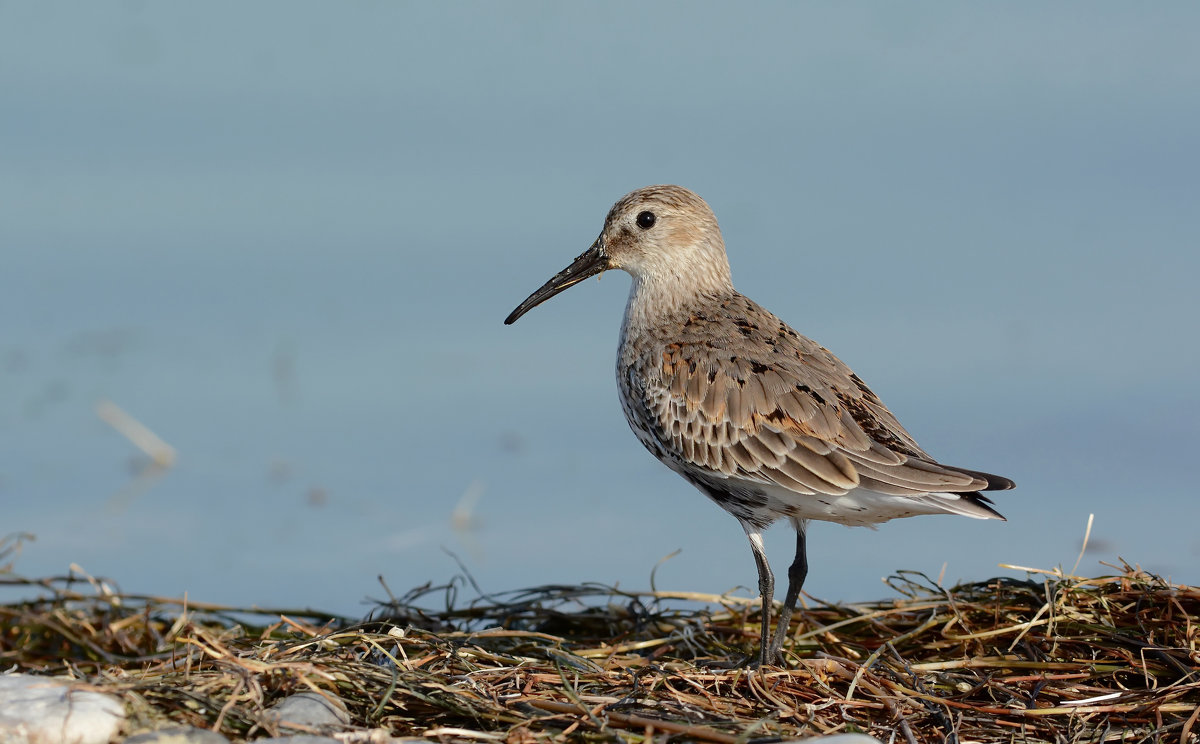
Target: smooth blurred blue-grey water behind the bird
column 284, row 237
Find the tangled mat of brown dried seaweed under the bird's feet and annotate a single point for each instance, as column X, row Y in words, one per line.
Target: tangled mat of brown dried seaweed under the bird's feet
column 1054, row 658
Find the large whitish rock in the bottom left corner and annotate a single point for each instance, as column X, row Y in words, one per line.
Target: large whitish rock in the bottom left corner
column 50, row 711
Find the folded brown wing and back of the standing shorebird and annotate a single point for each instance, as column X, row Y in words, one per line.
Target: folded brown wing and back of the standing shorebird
column 759, row 401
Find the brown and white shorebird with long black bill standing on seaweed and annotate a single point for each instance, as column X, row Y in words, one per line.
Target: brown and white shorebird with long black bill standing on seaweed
column 763, row 421
